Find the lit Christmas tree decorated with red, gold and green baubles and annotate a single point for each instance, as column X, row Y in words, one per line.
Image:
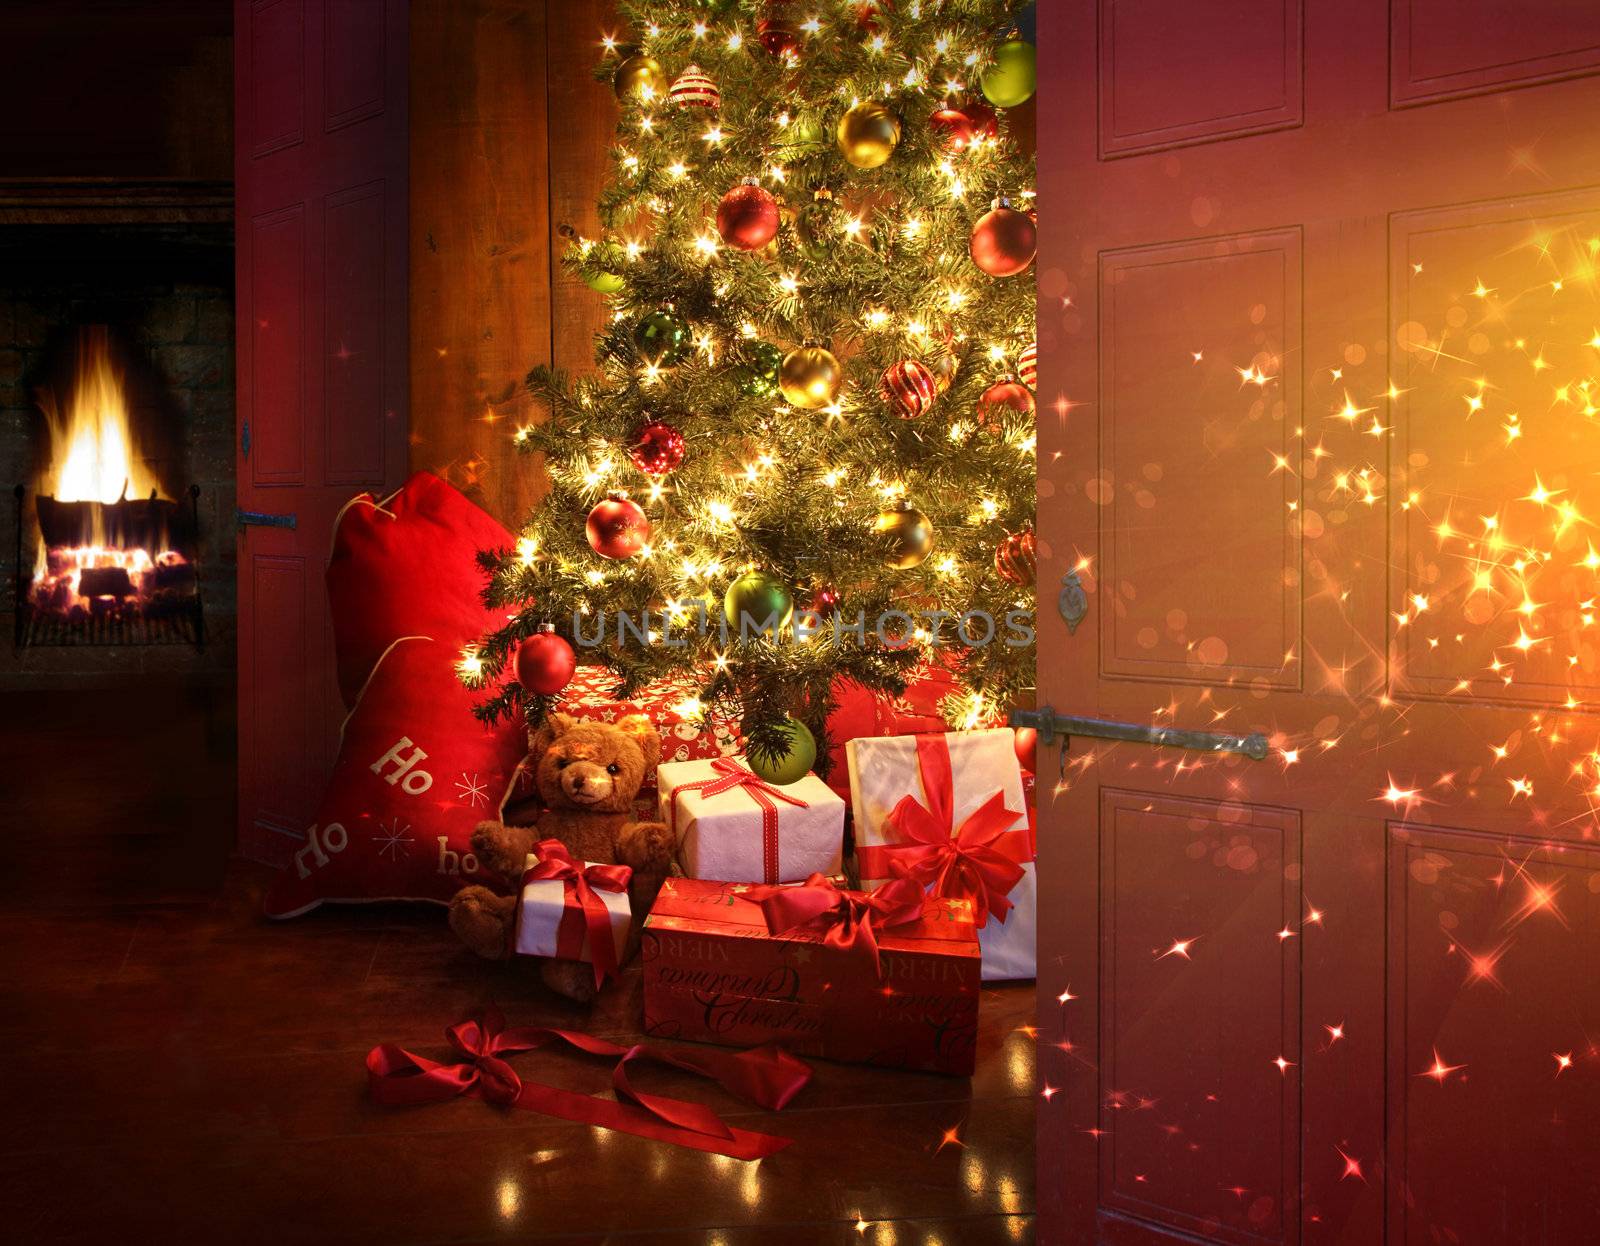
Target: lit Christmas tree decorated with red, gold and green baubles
column 809, row 450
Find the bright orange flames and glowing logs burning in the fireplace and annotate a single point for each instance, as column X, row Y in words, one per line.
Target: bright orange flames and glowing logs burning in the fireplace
column 95, row 463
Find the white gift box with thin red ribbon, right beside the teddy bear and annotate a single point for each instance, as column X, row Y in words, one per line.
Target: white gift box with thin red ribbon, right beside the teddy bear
column 735, row 828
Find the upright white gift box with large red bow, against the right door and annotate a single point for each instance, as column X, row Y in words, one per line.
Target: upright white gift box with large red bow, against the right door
column 950, row 810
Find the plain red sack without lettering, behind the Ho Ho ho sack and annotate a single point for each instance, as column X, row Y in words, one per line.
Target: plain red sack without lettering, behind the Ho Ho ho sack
column 407, row 567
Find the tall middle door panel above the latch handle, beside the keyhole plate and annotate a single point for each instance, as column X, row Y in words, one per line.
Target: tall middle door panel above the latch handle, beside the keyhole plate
column 1191, row 570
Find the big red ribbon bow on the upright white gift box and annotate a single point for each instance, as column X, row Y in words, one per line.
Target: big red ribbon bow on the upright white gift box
column 978, row 861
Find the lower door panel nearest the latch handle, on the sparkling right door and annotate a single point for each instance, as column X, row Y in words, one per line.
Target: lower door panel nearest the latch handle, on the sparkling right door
column 1222, row 1160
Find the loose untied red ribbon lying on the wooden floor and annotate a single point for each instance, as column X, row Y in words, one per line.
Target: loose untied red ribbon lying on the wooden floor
column 769, row 1077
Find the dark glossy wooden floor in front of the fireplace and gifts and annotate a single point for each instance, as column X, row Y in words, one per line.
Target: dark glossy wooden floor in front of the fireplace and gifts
column 178, row 1069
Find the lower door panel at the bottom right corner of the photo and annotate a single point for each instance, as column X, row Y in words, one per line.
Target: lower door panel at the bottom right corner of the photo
column 1494, row 1015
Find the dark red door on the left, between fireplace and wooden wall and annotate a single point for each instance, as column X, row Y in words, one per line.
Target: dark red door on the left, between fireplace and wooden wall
column 321, row 127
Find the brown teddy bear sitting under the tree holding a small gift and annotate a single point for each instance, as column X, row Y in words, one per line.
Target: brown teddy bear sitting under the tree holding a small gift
column 586, row 775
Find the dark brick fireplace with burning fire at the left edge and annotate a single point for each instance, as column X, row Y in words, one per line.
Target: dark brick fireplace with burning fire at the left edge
column 118, row 405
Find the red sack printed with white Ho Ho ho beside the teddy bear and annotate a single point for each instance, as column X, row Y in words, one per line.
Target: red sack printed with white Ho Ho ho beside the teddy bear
column 415, row 775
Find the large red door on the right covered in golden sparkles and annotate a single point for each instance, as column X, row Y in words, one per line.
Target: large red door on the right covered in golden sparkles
column 1319, row 401
